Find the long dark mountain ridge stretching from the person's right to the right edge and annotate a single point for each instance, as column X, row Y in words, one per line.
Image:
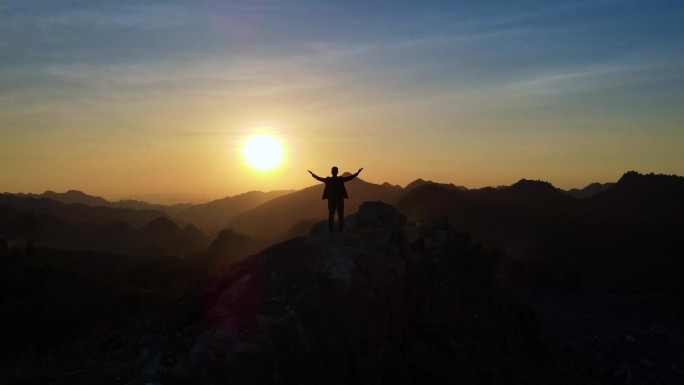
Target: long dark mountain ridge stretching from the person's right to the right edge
column 627, row 237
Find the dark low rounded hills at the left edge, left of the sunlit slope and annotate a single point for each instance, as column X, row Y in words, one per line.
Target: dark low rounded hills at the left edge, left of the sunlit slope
column 76, row 226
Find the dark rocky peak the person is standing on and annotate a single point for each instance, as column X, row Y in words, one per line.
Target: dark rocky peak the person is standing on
column 387, row 302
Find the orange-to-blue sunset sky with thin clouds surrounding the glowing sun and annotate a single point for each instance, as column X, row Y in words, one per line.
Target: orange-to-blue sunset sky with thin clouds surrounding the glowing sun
column 131, row 98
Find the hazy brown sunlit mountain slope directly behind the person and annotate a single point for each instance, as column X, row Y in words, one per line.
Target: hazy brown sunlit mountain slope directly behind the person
column 273, row 219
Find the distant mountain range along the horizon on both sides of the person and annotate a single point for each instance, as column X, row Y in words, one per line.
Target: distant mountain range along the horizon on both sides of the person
column 623, row 234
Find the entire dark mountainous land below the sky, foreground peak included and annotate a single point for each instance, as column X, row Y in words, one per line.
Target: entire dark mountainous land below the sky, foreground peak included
column 445, row 285
